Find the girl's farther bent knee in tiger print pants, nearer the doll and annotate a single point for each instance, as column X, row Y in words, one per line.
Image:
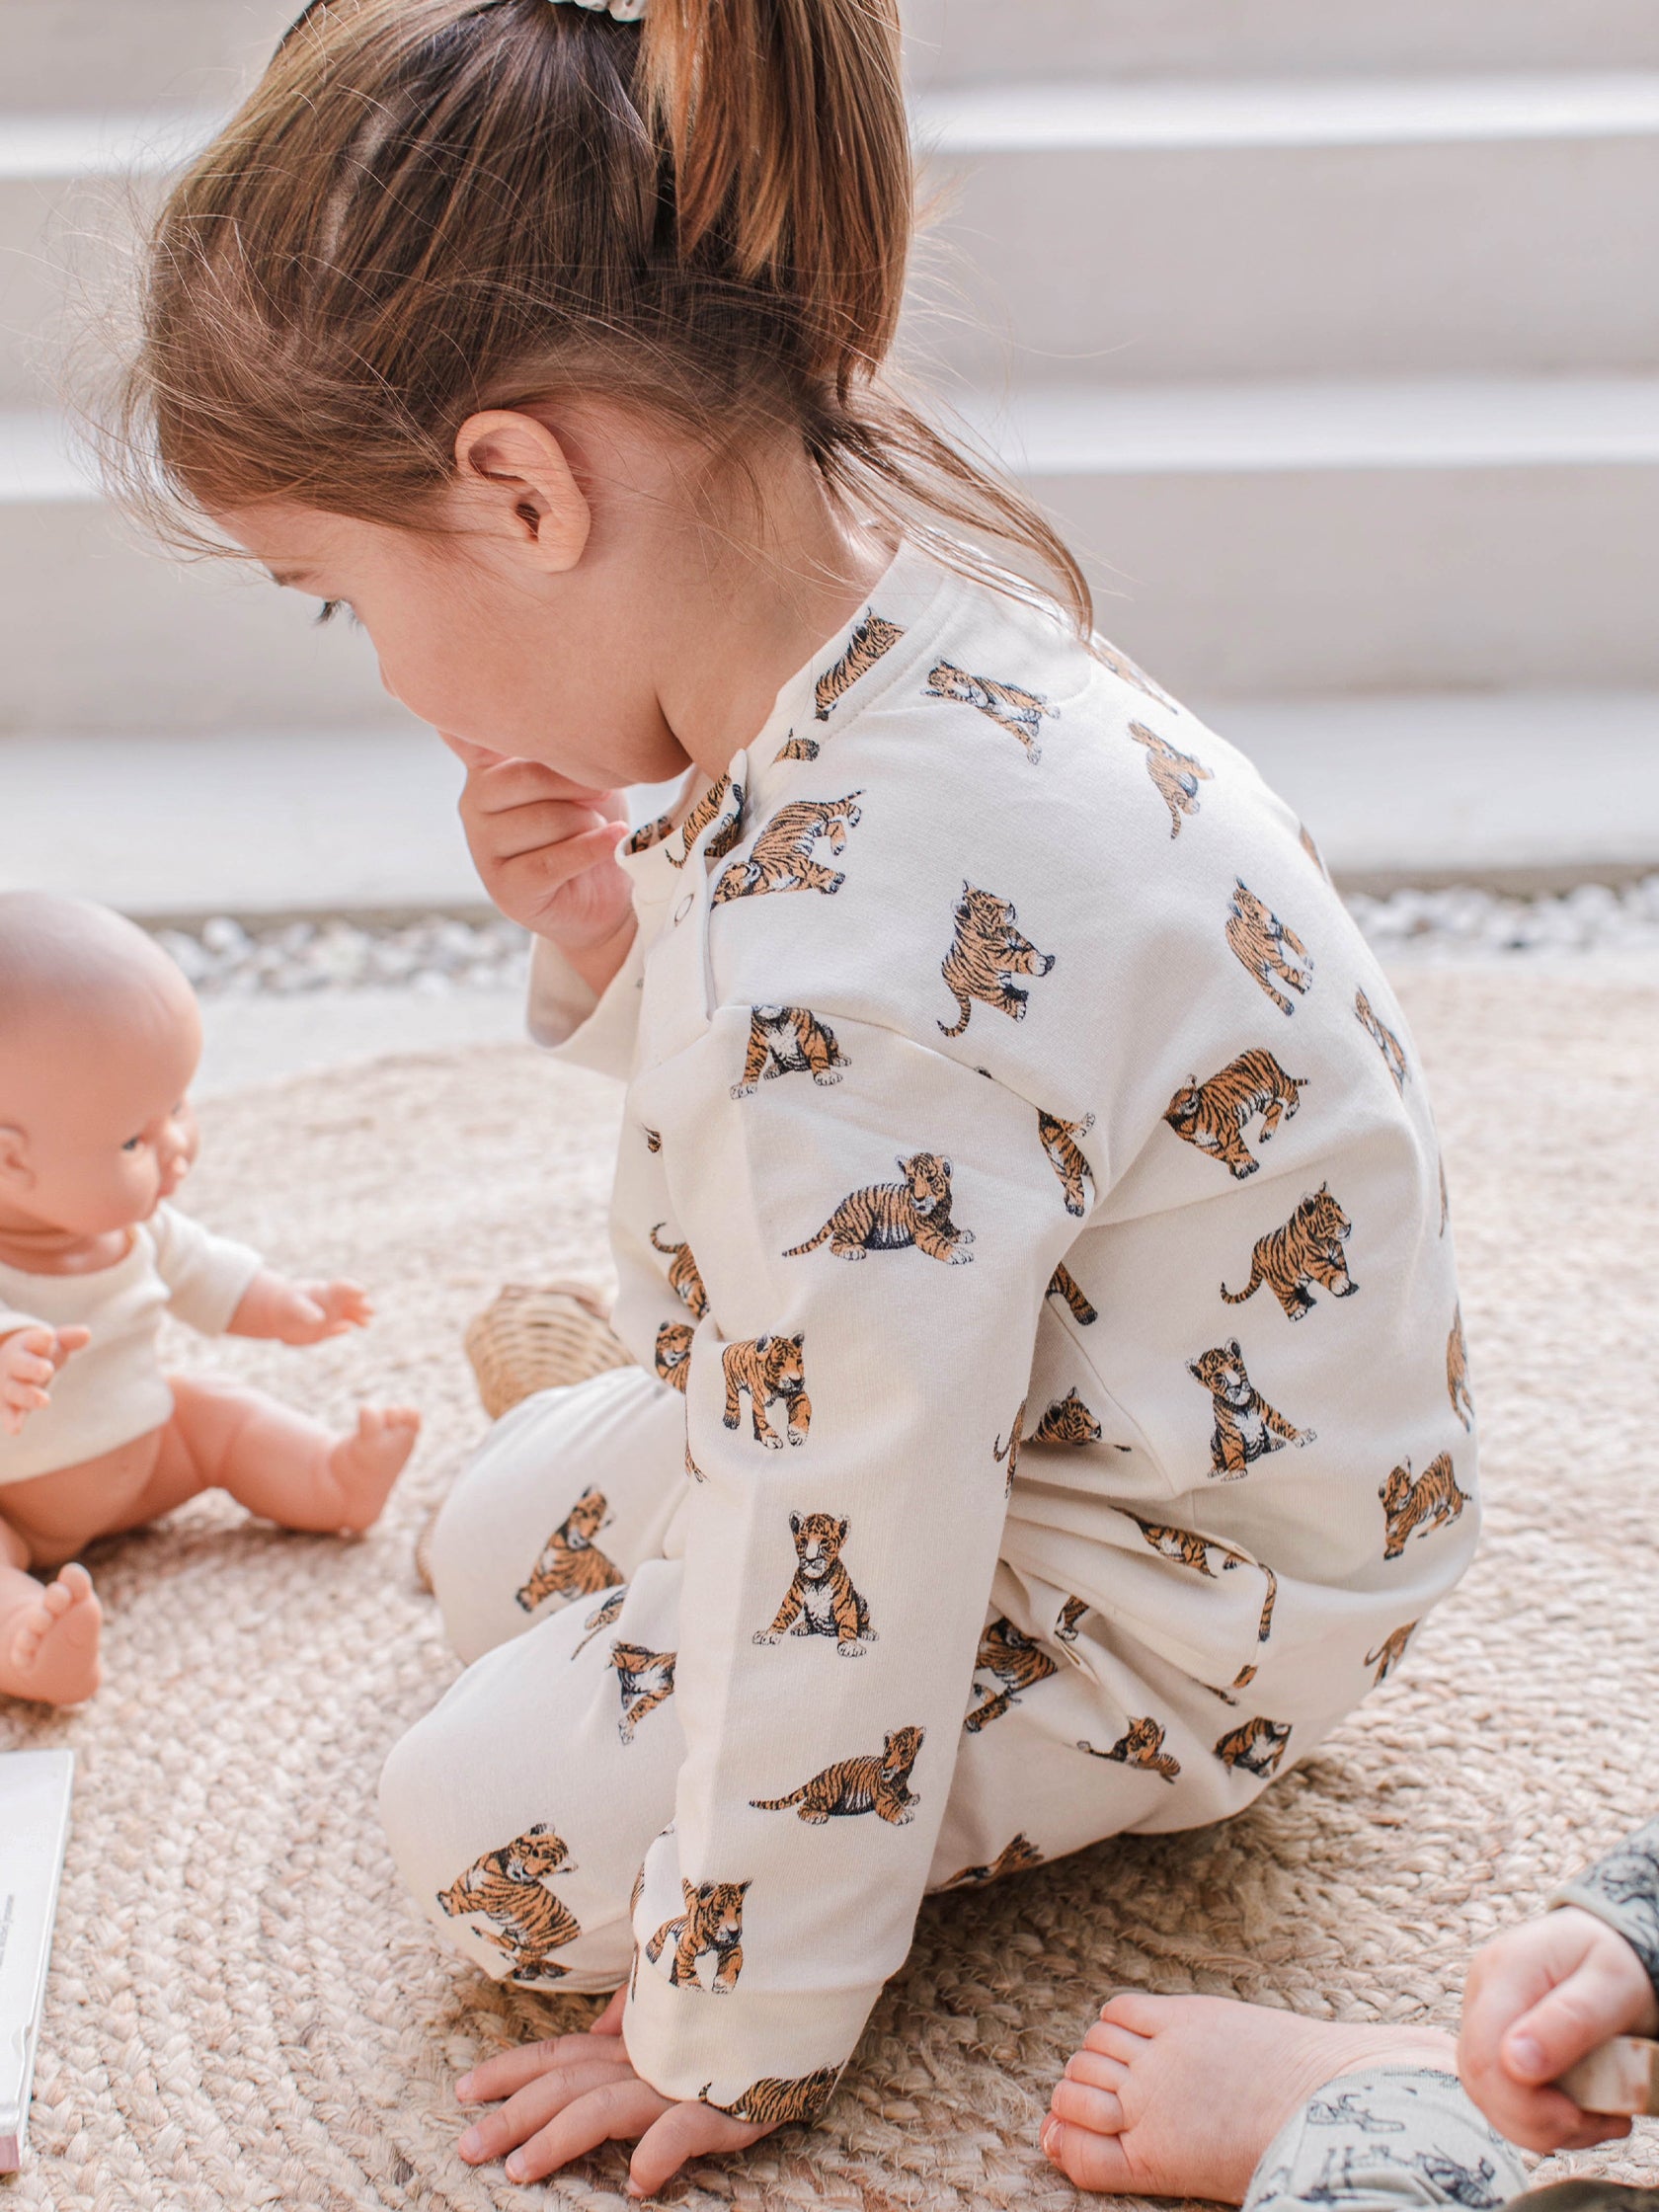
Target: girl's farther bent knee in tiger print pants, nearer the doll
column 561, row 1503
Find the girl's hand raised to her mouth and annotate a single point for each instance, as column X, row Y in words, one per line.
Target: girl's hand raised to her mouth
column 545, row 848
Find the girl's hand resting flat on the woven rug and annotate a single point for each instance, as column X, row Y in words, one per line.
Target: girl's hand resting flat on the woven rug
column 578, row 2091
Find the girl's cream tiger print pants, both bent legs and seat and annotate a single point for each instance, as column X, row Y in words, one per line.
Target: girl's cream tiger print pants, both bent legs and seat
column 523, row 1804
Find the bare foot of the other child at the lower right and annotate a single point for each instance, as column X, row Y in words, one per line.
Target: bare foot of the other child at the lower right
column 1182, row 2096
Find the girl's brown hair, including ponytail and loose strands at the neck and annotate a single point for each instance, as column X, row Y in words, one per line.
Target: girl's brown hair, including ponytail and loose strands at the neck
column 432, row 207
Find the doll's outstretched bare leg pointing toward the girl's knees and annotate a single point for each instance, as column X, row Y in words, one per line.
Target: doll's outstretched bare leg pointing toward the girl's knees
column 275, row 1461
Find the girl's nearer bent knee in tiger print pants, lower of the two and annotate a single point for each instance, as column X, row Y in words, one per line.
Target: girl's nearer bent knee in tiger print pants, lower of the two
column 519, row 1813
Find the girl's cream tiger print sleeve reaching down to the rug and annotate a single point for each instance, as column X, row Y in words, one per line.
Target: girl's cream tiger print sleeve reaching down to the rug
column 873, row 1260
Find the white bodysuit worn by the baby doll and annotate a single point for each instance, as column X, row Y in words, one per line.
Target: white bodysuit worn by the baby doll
column 114, row 1388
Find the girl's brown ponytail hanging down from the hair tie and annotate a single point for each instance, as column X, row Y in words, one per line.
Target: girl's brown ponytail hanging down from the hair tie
column 789, row 143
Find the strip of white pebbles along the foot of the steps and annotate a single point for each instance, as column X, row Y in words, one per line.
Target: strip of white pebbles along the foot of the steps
column 441, row 954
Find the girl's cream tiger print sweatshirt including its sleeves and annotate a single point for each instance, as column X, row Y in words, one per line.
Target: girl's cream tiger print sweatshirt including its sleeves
column 1025, row 1167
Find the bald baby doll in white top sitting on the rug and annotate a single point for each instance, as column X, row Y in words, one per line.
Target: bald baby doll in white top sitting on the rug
column 98, row 1047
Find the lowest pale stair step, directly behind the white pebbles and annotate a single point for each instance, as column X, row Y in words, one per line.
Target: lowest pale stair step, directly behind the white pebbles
column 348, row 822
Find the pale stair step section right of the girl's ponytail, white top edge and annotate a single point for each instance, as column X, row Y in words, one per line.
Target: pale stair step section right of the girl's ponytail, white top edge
column 1246, row 231
